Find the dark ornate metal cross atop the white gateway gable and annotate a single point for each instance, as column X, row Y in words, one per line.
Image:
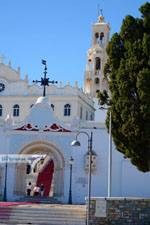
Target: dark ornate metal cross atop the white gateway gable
column 44, row 81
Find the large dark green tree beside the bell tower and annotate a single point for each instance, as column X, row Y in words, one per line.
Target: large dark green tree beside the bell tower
column 128, row 73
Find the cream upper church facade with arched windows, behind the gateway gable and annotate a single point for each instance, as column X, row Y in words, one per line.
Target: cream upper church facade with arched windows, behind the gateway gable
column 16, row 91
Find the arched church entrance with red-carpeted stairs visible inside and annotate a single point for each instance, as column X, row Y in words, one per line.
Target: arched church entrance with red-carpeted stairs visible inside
column 48, row 170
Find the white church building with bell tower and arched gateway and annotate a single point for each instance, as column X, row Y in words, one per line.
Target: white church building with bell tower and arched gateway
column 46, row 126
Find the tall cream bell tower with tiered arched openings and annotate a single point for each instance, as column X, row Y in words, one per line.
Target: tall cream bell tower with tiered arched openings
column 94, row 80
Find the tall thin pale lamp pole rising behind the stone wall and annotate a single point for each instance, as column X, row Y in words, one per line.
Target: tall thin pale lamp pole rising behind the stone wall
column 109, row 154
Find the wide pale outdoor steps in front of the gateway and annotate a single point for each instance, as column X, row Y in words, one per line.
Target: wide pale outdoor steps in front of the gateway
column 41, row 214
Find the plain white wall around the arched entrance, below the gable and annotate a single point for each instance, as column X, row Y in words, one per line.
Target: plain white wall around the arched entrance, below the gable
column 126, row 180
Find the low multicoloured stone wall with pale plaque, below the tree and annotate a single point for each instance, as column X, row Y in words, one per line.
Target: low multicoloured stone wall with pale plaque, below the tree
column 119, row 211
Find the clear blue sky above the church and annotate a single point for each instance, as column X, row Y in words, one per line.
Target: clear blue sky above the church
column 58, row 31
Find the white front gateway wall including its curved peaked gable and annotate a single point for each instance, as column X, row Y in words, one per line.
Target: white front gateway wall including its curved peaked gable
column 126, row 180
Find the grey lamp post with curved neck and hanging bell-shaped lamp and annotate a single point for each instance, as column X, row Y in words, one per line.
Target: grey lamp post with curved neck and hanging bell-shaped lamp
column 77, row 143
